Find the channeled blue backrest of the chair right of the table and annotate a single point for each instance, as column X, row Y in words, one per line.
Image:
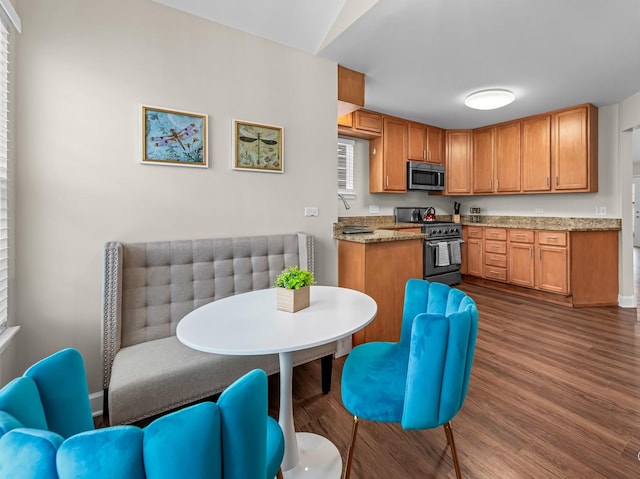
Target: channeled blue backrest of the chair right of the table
column 441, row 340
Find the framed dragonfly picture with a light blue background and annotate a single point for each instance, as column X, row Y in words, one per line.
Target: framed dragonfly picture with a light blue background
column 173, row 137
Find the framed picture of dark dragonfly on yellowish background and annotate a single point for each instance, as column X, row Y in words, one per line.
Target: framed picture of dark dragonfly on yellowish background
column 257, row 147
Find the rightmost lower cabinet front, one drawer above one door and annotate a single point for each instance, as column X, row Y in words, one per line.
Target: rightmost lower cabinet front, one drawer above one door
column 552, row 262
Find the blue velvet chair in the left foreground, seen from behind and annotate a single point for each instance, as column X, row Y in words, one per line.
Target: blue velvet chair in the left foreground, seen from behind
column 46, row 432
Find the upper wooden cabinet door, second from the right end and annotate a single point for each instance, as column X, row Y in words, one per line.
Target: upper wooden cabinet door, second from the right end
column 536, row 153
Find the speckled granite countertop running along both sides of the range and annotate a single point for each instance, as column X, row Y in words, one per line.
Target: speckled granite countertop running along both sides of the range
column 394, row 233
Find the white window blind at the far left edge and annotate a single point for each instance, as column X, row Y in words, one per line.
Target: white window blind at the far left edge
column 4, row 140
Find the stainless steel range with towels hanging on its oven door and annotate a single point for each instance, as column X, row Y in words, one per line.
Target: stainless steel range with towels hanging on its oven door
column 441, row 258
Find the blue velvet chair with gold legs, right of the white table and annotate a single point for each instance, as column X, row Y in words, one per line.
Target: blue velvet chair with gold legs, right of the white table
column 421, row 381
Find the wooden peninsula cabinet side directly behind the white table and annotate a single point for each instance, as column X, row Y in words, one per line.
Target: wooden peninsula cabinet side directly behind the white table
column 381, row 271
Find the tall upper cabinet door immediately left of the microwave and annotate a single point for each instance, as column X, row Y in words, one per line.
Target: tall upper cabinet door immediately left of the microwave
column 394, row 154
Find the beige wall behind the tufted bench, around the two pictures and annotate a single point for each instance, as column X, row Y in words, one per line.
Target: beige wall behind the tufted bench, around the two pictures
column 83, row 68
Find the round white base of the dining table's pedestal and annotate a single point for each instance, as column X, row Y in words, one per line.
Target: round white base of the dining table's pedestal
column 319, row 458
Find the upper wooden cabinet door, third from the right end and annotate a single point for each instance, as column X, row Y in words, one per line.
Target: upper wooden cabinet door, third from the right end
column 507, row 157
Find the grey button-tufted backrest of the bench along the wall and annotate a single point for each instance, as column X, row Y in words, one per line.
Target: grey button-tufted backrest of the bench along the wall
column 149, row 287
